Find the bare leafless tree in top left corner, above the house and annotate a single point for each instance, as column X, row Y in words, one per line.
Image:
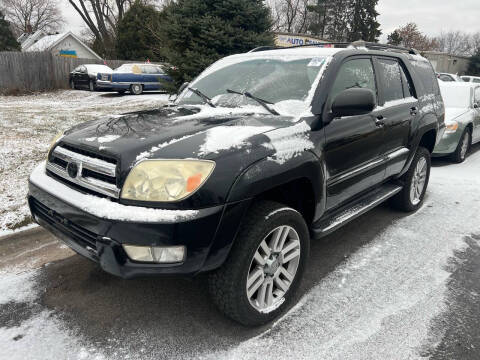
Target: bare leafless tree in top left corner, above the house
column 33, row 15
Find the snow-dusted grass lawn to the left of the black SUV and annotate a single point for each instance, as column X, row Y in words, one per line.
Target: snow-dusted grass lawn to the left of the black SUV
column 28, row 124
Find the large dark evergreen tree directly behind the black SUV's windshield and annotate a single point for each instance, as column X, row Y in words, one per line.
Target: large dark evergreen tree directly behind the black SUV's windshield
column 195, row 33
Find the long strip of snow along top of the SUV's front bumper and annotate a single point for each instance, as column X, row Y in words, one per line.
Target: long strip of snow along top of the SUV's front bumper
column 105, row 208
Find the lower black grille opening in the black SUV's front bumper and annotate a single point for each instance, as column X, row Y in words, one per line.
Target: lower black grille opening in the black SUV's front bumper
column 80, row 235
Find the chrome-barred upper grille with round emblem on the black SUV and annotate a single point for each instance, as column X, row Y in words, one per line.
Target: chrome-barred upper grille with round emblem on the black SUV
column 88, row 170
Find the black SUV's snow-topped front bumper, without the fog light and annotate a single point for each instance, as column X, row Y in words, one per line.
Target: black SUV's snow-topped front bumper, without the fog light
column 96, row 228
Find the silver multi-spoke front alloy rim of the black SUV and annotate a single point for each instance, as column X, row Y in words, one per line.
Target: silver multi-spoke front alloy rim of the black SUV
column 273, row 269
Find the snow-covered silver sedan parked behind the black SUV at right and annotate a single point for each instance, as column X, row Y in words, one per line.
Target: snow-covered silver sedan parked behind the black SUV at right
column 462, row 119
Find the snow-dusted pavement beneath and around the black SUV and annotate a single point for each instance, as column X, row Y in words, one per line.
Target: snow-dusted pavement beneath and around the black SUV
column 387, row 286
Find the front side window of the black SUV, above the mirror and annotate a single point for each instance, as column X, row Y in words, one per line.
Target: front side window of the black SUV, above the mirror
column 354, row 74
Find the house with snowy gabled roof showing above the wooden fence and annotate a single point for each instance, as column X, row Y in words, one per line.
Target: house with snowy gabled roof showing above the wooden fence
column 64, row 44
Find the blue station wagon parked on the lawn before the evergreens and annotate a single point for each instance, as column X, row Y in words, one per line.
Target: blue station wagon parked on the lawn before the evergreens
column 135, row 78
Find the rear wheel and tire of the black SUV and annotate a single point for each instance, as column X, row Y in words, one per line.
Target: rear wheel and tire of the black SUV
column 415, row 183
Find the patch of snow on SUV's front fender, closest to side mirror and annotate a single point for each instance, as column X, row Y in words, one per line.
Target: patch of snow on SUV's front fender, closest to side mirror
column 289, row 142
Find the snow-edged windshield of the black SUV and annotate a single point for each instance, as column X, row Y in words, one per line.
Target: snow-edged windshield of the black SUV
column 271, row 79
